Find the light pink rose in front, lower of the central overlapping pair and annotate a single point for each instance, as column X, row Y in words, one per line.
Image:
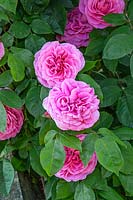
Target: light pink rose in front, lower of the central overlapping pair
column 73, row 105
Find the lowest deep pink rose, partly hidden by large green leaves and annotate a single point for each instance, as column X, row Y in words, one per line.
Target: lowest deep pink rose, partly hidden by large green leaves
column 73, row 168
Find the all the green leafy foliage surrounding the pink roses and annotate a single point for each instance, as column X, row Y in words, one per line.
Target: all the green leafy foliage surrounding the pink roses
column 25, row 26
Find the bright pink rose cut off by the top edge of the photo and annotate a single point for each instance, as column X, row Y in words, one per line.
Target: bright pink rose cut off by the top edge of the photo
column 96, row 9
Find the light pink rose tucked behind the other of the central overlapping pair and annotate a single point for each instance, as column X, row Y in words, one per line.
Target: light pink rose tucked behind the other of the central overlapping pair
column 55, row 62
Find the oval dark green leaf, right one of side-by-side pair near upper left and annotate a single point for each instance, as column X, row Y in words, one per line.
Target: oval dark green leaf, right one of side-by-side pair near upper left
column 40, row 27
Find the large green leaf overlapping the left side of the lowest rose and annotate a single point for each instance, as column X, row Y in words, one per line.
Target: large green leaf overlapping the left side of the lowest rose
column 52, row 156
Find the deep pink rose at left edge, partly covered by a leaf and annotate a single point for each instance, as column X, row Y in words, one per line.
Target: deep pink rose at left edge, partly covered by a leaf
column 15, row 120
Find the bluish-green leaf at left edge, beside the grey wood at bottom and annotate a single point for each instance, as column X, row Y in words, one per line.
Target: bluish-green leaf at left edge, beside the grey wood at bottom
column 6, row 177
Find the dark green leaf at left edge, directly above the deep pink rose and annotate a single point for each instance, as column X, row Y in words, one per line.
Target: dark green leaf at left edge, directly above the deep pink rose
column 10, row 98
